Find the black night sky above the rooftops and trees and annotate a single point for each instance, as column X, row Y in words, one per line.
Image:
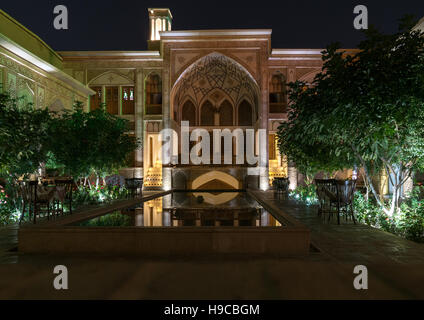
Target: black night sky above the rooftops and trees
column 123, row 25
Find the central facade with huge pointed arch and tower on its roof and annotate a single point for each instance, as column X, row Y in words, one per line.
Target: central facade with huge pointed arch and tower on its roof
column 214, row 79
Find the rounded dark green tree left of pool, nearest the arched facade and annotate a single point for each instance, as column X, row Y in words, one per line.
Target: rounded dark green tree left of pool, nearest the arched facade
column 94, row 142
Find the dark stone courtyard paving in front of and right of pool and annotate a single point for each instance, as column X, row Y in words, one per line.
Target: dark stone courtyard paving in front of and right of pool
column 395, row 269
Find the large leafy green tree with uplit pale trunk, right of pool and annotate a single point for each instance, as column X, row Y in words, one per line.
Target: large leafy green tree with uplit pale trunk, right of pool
column 364, row 108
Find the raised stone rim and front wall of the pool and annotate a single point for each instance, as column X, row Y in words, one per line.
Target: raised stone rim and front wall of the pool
column 58, row 238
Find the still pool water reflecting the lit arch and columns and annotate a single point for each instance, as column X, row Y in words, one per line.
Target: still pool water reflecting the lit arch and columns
column 190, row 209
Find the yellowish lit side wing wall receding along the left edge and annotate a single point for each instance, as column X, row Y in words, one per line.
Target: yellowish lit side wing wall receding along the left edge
column 31, row 70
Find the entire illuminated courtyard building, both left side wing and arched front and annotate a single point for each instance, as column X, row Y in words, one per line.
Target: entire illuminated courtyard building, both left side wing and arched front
column 209, row 79
